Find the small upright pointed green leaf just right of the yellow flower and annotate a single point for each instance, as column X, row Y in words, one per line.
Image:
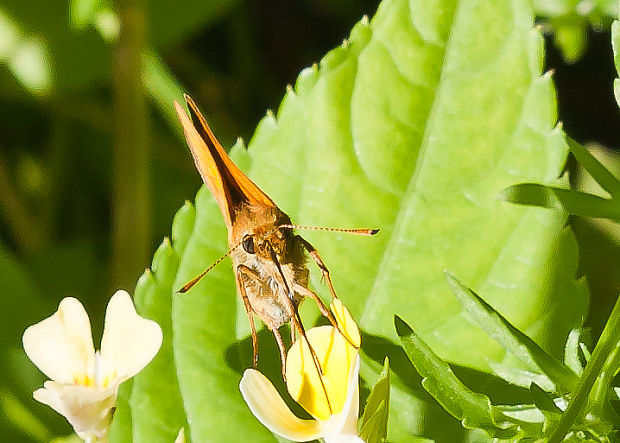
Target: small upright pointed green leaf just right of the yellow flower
column 377, row 410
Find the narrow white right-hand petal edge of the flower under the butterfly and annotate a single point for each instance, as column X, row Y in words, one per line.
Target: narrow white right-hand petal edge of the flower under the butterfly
column 345, row 423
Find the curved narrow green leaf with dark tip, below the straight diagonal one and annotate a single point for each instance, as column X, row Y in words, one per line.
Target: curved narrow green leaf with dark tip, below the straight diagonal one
column 473, row 409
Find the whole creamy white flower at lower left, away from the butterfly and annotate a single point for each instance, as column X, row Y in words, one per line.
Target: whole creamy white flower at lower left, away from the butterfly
column 84, row 383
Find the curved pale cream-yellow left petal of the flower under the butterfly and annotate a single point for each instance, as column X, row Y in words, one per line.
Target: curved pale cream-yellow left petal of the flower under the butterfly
column 266, row 404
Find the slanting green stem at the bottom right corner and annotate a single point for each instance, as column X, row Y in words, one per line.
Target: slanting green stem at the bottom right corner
column 607, row 345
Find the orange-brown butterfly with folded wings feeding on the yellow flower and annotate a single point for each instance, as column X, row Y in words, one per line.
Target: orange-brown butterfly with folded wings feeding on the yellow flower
column 269, row 258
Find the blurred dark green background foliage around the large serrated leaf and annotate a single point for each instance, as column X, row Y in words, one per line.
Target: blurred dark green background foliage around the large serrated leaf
column 92, row 161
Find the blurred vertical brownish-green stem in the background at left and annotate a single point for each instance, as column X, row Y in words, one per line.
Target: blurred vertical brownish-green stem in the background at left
column 131, row 206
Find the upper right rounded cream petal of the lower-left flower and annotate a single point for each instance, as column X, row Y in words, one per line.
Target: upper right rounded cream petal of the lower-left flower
column 129, row 341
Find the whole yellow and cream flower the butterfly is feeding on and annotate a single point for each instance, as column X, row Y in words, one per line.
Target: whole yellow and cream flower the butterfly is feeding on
column 334, row 403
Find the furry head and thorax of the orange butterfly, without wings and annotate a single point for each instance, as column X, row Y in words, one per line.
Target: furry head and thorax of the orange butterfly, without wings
column 269, row 262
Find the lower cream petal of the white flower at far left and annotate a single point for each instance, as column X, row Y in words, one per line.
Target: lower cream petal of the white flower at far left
column 87, row 409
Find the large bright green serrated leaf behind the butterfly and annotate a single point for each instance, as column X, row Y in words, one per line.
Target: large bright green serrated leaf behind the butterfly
column 413, row 125
